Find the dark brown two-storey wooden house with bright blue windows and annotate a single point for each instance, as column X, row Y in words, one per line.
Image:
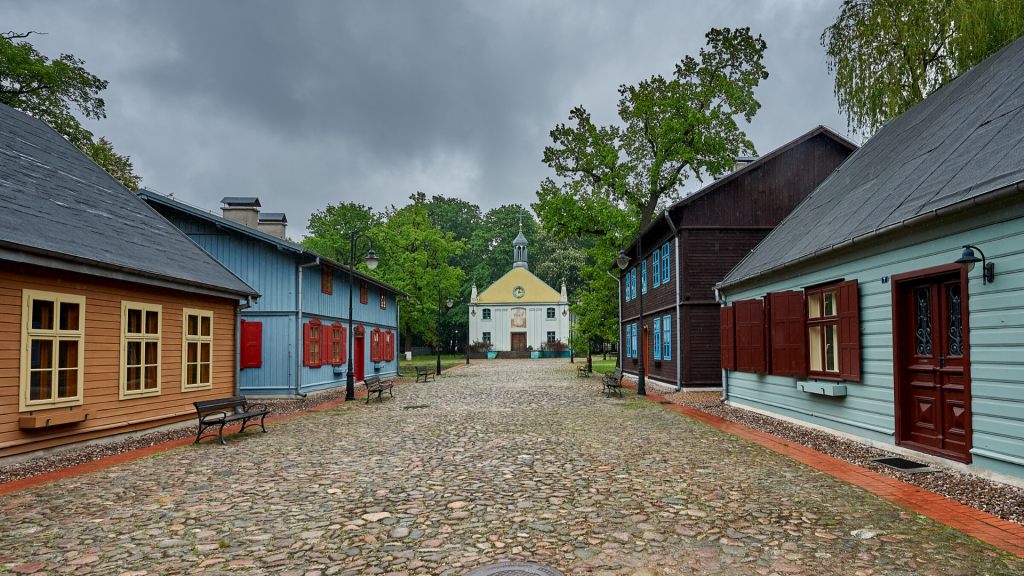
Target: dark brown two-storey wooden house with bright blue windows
column 696, row 243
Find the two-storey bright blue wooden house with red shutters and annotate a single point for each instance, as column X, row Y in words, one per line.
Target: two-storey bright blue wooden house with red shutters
column 295, row 340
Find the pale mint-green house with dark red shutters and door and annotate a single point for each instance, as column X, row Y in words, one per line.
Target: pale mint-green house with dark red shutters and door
column 889, row 306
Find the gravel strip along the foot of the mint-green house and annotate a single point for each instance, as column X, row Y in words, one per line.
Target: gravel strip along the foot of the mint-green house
column 998, row 500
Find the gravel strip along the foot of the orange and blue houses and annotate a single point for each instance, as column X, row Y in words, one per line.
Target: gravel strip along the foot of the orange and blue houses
column 86, row 455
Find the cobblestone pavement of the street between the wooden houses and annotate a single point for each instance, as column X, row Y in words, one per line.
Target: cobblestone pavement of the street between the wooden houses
column 504, row 460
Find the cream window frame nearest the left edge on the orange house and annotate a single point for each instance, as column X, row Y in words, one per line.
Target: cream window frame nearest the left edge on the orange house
column 56, row 336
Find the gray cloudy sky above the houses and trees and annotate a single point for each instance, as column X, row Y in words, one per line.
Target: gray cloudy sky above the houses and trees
column 306, row 104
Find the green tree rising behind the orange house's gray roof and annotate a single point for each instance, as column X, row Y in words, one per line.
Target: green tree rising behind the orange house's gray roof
column 49, row 90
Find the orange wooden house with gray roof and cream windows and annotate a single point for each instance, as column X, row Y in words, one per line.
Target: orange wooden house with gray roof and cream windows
column 112, row 321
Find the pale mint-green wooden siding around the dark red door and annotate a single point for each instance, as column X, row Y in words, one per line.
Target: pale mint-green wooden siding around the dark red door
column 996, row 324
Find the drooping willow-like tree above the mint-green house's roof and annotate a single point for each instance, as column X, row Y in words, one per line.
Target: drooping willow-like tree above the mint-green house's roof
column 890, row 55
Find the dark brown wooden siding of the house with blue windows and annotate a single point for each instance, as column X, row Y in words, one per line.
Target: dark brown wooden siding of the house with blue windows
column 716, row 231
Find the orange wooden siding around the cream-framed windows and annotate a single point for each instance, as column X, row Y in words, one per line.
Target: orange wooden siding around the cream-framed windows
column 108, row 416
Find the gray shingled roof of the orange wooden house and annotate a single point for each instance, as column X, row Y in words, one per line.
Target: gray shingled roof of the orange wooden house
column 57, row 202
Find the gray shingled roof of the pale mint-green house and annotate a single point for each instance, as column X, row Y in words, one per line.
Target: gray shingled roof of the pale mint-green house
column 961, row 143
